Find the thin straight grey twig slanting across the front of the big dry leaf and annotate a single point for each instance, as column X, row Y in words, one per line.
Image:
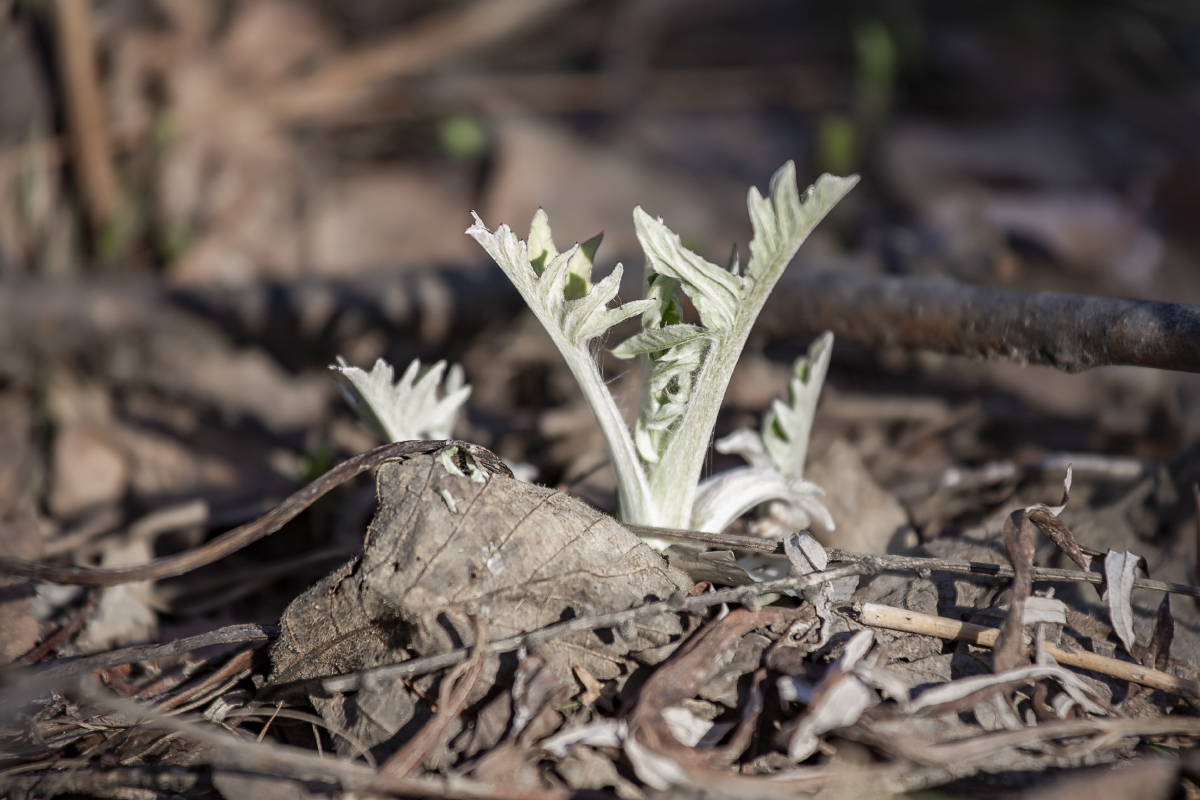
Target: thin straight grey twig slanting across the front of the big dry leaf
column 747, row 597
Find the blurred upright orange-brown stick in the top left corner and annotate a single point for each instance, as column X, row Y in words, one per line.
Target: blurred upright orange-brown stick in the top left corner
column 76, row 59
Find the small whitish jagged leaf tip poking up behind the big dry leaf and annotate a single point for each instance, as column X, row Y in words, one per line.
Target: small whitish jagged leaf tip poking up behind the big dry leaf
column 409, row 410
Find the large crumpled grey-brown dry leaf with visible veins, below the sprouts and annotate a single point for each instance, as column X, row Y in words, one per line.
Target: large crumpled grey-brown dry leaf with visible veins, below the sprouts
column 442, row 545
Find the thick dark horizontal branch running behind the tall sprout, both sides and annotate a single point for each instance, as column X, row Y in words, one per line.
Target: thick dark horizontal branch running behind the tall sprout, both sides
column 1072, row 333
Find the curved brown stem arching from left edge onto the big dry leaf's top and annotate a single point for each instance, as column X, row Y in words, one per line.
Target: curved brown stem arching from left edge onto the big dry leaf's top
column 239, row 538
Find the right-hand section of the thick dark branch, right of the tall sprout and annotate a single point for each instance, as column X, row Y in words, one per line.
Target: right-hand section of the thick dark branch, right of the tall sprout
column 1072, row 333
